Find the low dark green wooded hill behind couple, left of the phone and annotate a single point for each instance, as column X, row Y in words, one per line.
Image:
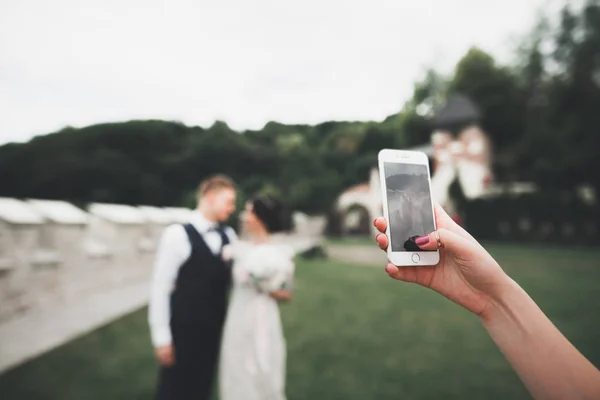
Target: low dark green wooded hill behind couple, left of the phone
column 161, row 163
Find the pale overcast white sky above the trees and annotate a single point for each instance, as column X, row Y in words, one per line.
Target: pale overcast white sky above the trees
column 76, row 63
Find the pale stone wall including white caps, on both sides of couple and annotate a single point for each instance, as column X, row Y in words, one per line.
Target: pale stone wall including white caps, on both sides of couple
column 53, row 252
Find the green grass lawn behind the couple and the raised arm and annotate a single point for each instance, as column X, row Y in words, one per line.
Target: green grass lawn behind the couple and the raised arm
column 352, row 334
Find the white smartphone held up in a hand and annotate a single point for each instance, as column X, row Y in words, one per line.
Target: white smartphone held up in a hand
column 407, row 205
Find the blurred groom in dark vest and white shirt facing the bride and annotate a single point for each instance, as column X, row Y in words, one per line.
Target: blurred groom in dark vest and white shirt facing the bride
column 188, row 296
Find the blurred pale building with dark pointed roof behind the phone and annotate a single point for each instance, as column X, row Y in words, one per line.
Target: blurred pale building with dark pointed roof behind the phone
column 459, row 150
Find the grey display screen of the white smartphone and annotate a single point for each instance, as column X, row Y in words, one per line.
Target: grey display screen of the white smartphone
column 409, row 204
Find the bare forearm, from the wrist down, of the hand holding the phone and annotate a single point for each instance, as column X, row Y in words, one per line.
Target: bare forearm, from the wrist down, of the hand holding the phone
column 547, row 363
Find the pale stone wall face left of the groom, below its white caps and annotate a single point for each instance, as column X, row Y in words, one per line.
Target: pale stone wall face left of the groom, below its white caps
column 49, row 264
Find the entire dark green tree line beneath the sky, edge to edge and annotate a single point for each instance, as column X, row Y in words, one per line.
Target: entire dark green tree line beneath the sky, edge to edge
column 541, row 113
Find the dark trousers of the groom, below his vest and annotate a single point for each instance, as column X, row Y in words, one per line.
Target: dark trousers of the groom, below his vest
column 196, row 357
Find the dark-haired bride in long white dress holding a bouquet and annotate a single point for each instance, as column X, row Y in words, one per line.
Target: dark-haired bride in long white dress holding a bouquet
column 253, row 354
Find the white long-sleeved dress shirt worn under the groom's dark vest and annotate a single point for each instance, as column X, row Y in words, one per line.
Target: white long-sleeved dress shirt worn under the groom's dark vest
column 173, row 250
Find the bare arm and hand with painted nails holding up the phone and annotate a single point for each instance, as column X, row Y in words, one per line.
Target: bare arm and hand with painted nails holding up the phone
column 547, row 363
